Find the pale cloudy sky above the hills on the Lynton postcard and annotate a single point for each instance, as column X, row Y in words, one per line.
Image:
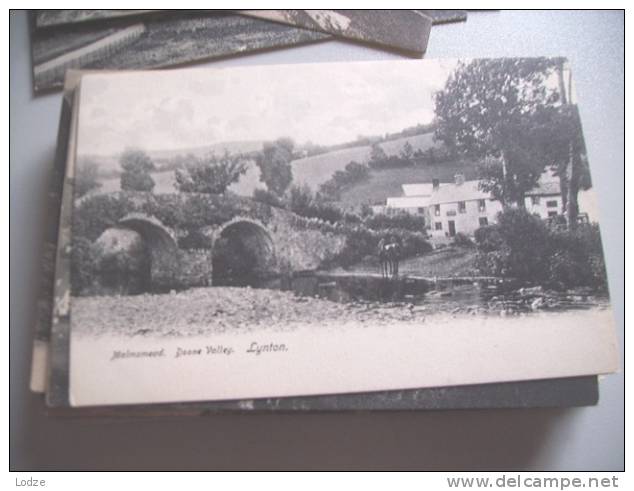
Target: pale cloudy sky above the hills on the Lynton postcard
column 325, row 103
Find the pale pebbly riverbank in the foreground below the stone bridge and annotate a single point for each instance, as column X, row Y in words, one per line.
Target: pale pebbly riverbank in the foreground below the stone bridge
column 226, row 309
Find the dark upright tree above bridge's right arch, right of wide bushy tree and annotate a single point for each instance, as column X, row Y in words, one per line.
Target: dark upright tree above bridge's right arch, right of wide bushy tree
column 275, row 165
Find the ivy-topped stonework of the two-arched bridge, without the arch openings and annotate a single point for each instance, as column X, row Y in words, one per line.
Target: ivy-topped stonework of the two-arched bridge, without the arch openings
column 293, row 243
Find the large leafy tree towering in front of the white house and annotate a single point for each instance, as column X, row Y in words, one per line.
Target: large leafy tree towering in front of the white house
column 492, row 108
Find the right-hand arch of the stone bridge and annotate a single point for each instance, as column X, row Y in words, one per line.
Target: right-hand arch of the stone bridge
column 243, row 253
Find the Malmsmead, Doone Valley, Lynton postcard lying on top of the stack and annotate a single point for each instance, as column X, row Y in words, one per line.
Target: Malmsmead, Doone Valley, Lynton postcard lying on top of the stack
column 237, row 236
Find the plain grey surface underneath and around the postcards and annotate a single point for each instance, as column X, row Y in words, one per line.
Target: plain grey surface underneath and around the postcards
column 537, row 439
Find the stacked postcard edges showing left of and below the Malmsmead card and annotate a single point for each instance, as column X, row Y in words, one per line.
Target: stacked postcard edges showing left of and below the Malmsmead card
column 52, row 374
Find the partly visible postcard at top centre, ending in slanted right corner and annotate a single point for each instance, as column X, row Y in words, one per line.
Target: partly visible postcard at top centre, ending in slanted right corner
column 405, row 30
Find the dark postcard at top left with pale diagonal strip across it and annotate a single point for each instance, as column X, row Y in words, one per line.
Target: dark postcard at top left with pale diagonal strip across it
column 152, row 40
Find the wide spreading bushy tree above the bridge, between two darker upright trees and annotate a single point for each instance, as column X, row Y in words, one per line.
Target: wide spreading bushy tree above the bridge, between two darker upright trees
column 210, row 174
